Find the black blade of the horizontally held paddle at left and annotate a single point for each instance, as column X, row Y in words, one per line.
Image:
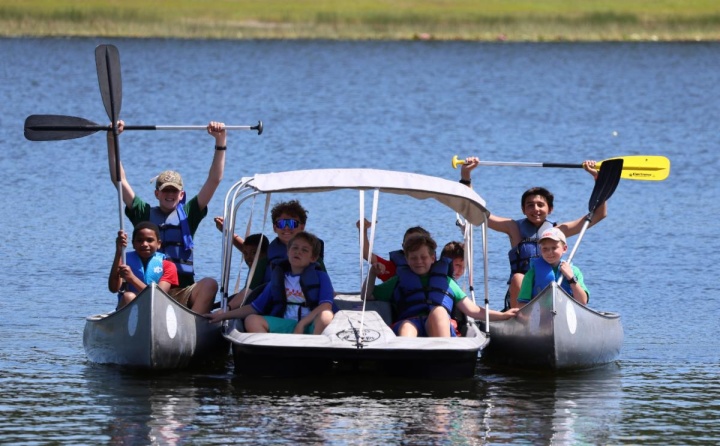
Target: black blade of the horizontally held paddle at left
column 58, row 127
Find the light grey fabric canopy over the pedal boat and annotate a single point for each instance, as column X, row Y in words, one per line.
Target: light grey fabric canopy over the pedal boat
column 456, row 196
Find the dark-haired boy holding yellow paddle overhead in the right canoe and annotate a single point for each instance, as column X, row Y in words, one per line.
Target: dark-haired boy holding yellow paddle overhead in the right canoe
column 536, row 204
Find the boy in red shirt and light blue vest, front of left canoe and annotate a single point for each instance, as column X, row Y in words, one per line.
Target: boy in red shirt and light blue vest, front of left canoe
column 143, row 266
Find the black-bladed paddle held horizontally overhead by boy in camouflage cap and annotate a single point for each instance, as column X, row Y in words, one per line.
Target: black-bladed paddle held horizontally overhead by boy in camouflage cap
column 59, row 127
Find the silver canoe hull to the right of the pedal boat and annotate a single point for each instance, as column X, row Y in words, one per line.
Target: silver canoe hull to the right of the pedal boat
column 555, row 332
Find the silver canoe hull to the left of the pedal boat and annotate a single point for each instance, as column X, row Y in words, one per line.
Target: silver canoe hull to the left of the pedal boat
column 153, row 332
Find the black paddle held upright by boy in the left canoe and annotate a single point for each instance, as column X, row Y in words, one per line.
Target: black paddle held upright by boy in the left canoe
column 107, row 60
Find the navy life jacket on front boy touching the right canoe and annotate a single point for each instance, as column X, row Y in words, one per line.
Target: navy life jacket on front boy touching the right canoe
column 411, row 298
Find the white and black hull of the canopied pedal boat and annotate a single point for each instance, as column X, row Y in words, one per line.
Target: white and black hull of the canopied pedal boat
column 342, row 348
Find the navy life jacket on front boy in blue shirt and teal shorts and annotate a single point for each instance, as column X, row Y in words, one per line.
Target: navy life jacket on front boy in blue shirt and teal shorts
column 309, row 283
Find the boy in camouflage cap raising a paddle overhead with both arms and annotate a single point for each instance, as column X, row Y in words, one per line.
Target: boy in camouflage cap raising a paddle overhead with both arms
column 176, row 219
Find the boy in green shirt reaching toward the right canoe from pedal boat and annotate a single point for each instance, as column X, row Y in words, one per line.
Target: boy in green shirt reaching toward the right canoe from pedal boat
column 423, row 295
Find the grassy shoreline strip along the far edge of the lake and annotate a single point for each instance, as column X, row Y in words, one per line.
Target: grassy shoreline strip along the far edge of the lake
column 476, row 20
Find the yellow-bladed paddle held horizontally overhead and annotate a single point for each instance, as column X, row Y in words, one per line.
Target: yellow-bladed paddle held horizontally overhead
column 635, row 167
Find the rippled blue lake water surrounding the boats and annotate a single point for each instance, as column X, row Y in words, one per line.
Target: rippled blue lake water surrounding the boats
column 408, row 106
